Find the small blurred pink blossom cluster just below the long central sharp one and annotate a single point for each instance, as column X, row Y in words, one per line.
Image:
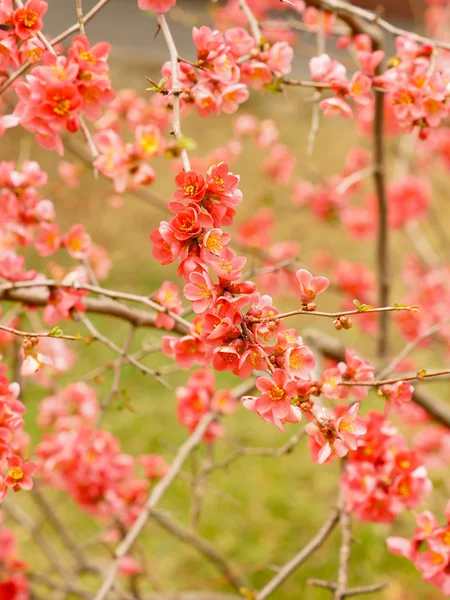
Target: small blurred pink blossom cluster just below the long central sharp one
column 198, row 397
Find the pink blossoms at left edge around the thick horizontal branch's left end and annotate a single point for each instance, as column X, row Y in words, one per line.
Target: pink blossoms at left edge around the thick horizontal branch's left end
column 29, row 219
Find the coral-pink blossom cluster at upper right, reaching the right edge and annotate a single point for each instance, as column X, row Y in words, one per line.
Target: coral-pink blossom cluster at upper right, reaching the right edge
column 416, row 87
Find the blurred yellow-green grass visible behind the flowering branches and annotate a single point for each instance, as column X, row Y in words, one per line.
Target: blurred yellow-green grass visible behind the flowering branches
column 260, row 511
